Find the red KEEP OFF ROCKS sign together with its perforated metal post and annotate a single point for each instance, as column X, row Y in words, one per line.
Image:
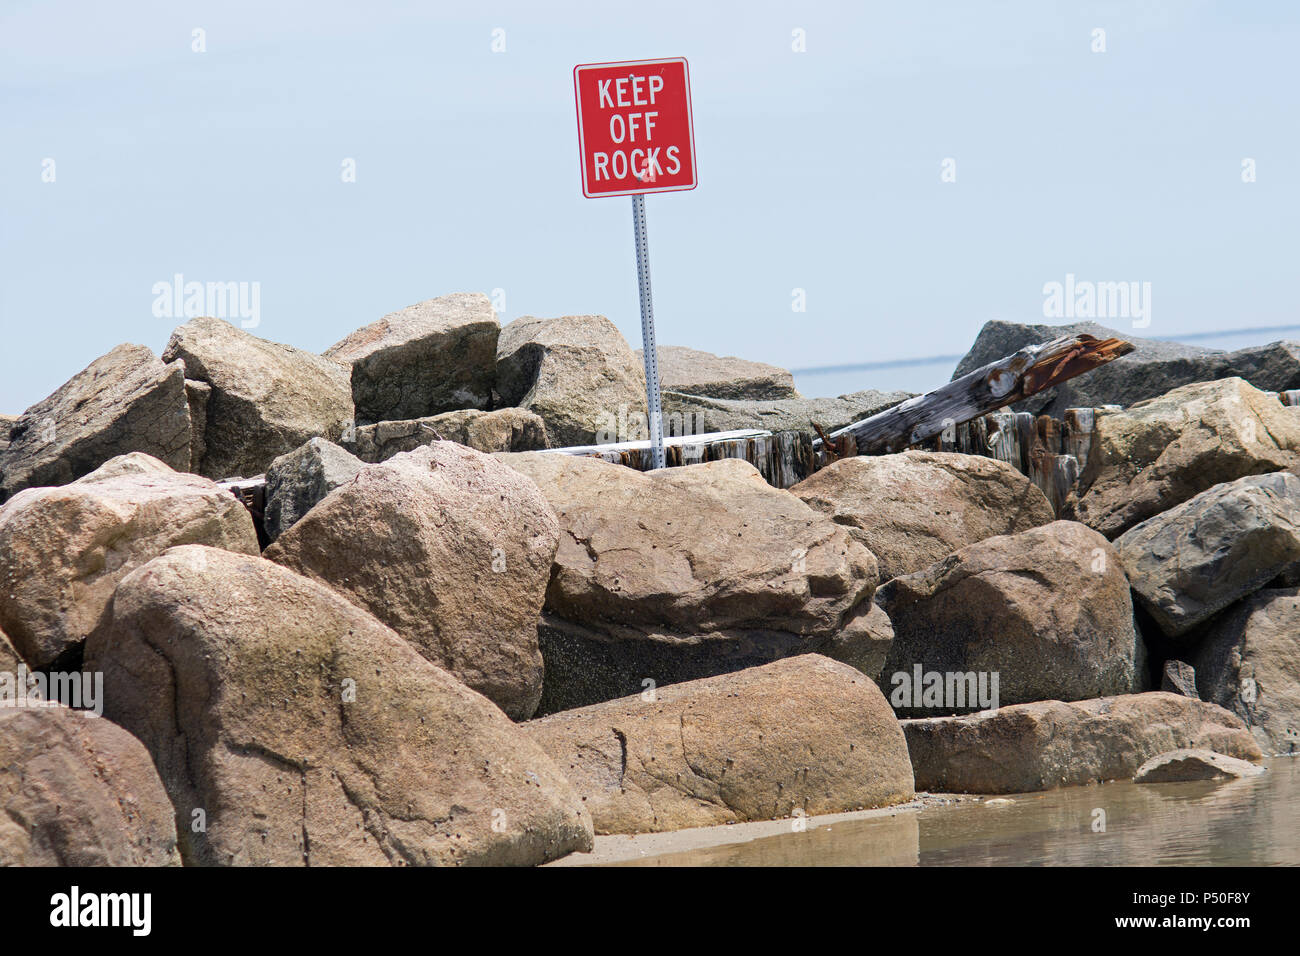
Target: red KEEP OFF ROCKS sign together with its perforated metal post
column 635, row 137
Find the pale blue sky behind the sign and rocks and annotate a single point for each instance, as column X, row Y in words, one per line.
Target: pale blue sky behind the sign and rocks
column 818, row 171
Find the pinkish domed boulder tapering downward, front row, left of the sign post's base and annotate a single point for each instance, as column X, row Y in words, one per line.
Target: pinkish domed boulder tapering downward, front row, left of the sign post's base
column 450, row 550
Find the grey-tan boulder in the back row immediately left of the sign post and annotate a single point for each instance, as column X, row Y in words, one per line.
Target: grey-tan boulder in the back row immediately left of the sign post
column 577, row 373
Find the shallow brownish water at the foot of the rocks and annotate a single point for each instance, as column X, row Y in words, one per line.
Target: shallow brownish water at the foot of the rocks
column 1249, row 823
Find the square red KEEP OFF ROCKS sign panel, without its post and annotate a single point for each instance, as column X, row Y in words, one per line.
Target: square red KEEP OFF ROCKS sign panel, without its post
column 635, row 132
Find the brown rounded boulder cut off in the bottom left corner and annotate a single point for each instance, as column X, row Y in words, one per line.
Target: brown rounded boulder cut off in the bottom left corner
column 80, row 791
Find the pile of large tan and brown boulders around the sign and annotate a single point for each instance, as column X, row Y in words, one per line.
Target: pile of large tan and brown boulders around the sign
column 452, row 646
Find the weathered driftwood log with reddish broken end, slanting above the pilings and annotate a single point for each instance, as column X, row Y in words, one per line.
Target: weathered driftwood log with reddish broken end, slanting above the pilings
column 1032, row 370
